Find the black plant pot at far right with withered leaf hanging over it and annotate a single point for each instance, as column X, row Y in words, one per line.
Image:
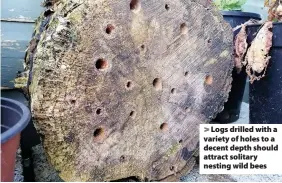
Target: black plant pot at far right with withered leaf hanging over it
column 266, row 94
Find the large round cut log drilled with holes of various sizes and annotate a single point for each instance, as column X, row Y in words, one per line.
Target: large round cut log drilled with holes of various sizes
column 118, row 88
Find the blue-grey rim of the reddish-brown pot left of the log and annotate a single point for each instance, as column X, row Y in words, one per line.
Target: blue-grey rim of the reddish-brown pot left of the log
column 20, row 125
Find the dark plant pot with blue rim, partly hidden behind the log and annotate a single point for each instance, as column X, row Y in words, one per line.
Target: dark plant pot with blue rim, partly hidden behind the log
column 232, row 107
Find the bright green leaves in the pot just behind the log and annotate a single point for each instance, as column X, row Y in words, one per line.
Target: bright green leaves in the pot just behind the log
column 229, row 4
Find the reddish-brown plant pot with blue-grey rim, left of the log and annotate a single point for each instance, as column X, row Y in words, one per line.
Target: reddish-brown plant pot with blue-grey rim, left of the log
column 14, row 118
